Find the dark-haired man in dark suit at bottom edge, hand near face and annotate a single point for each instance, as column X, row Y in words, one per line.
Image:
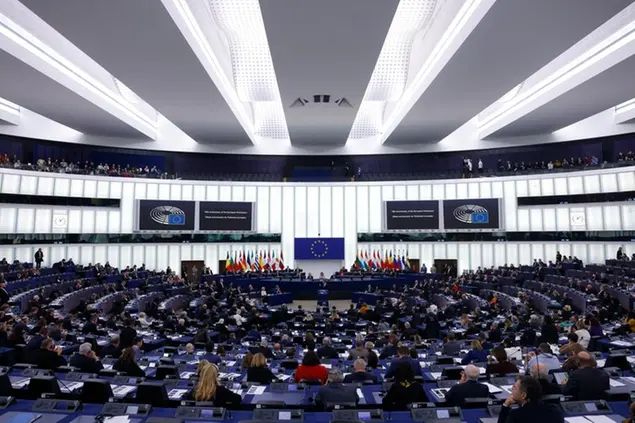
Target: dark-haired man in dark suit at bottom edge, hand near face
column 526, row 394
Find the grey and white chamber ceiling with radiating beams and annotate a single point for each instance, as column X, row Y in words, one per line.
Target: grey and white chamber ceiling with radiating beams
column 326, row 47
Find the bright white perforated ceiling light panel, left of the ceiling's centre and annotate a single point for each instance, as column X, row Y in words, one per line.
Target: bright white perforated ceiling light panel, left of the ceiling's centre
column 254, row 76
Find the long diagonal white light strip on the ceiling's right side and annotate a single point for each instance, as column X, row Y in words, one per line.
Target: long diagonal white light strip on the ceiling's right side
column 590, row 57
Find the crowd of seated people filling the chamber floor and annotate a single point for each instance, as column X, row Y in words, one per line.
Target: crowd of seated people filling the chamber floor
column 398, row 340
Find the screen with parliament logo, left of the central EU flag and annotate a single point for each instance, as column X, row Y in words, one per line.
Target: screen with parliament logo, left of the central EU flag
column 165, row 215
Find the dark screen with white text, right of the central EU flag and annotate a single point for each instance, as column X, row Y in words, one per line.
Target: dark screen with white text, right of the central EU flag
column 412, row 215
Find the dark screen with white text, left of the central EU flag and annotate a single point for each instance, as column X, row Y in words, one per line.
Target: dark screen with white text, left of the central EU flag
column 226, row 216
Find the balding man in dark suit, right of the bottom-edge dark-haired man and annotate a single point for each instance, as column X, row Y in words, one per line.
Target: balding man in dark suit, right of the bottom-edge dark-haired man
column 588, row 382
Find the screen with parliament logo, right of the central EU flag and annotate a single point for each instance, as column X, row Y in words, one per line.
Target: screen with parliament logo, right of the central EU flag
column 471, row 214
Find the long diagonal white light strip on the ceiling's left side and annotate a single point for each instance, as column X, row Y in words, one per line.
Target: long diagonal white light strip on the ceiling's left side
column 42, row 51
